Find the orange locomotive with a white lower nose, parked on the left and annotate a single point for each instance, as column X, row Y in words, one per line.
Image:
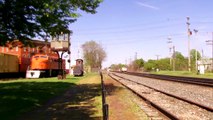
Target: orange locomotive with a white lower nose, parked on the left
column 43, row 65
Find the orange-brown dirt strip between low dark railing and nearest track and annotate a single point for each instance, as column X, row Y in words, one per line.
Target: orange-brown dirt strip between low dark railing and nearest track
column 121, row 107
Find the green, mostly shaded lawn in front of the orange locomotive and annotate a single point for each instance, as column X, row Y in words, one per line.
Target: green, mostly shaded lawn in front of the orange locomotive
column 23, row 95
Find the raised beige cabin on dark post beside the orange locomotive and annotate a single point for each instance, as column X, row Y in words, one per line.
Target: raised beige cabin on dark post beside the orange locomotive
column 60, row 44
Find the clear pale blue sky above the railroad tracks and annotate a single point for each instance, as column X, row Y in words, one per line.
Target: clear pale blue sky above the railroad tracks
column 127, row 27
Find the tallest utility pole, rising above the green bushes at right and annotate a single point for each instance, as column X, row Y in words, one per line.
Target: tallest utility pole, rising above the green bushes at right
column 189, row 33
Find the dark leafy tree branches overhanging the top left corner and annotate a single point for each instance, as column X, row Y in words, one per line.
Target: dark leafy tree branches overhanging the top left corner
column 26, row 19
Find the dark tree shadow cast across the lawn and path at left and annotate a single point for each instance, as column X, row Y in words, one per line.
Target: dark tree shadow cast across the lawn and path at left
column 28, row 101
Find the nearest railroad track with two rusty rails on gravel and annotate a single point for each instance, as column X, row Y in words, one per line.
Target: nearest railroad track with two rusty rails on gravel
column 166, row 112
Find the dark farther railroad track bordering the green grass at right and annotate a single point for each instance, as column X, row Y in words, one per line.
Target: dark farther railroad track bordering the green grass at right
column 190, row 80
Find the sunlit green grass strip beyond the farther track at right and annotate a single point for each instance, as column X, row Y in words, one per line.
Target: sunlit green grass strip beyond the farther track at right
column 185, row 73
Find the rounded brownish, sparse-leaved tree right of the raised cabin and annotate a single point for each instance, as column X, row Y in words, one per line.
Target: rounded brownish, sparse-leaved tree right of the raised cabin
column 94, row 54
